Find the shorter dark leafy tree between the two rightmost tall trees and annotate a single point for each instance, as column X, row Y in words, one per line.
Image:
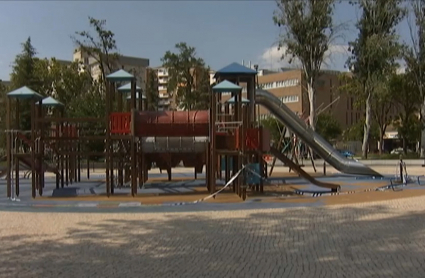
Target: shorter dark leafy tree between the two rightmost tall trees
column 407, row 98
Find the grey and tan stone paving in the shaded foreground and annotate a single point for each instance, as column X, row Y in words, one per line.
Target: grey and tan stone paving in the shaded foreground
column 382, row 239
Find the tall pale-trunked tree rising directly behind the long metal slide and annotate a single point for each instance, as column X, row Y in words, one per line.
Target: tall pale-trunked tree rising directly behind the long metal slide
column 308, row 30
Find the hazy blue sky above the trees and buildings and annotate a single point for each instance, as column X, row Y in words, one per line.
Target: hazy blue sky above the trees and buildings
column 222, row 32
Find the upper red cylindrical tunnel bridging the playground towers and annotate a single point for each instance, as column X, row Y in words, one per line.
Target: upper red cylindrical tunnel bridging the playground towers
column 172, row 123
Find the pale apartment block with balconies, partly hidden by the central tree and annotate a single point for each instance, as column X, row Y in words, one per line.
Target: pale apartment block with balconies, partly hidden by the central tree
column 167, row 99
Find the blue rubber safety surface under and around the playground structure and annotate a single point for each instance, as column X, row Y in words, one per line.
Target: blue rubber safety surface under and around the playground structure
column 95, row 186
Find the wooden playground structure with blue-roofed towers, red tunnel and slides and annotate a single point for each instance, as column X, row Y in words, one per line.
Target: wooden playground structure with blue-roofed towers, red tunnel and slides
column 226, row 138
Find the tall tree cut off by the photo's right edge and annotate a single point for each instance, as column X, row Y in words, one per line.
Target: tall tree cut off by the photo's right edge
column 414, row 56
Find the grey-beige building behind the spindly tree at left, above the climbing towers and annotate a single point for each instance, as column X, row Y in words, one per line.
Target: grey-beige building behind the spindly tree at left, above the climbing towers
column 134, row 65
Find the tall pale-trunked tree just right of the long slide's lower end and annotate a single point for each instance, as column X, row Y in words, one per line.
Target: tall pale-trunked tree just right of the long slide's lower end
column 373, row 53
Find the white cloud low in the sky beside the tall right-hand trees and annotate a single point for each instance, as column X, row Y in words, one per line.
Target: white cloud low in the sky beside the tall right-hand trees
column 335, row 58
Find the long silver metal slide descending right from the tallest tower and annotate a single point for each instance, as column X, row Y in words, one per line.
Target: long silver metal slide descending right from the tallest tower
column 311, row 138
